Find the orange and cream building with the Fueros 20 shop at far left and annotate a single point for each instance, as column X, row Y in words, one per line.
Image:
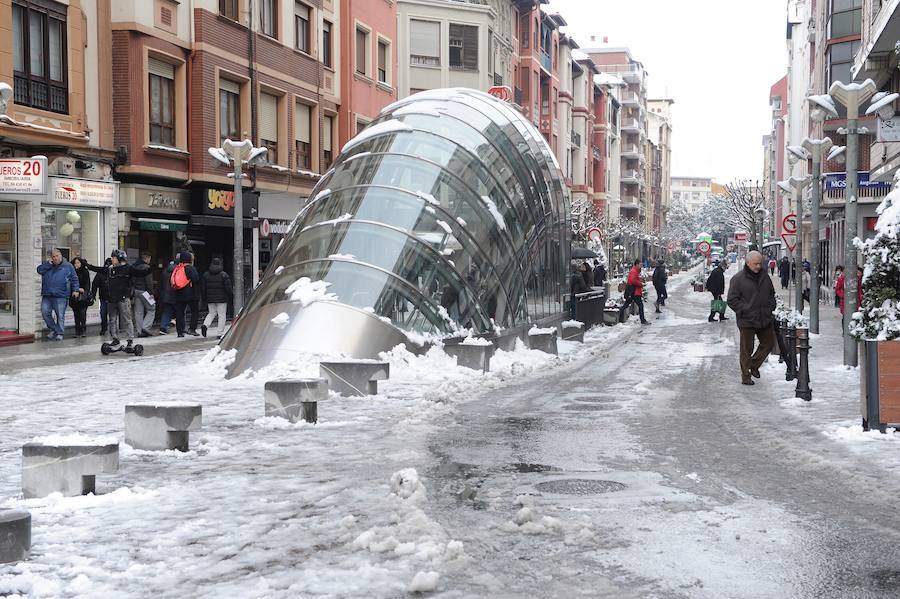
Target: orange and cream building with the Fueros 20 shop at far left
column 54, row 104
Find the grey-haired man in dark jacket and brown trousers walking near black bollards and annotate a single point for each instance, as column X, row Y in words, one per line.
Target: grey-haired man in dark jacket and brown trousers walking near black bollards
column 752, row 297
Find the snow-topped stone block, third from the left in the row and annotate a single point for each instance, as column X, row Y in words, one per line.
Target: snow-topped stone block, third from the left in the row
column 161, row 426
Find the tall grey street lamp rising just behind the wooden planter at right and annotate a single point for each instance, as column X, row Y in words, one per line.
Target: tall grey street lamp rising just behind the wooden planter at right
column 851, row 95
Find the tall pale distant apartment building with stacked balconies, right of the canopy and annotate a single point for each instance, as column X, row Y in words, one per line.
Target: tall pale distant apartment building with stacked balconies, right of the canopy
column 633, row 127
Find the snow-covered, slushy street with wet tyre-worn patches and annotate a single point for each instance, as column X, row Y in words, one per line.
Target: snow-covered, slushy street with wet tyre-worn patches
column 635, row 465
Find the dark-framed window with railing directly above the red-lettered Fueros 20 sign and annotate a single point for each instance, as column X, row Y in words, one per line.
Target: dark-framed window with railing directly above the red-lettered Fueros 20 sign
column 39, row 55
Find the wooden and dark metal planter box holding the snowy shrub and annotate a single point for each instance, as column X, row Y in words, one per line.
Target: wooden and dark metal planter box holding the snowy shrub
column 879, row 375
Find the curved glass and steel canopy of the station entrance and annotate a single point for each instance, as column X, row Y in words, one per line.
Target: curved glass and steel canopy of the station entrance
column 447, row 213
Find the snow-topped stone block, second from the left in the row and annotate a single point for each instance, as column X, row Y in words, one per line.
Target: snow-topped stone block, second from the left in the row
column 66, row 466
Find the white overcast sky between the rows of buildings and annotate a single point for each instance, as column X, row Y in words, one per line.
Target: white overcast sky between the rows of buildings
column 717, row 59
